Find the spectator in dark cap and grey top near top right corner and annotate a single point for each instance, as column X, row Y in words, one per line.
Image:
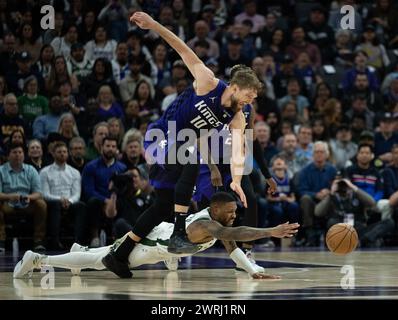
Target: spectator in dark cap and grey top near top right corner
column 376, row 51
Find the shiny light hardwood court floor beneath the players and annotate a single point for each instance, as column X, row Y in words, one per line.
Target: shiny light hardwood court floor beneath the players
column 210, row 275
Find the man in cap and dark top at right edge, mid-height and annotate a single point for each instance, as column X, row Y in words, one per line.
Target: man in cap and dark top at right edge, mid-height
column 385, row 138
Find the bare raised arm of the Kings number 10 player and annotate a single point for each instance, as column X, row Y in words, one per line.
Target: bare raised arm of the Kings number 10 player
column 205, row 79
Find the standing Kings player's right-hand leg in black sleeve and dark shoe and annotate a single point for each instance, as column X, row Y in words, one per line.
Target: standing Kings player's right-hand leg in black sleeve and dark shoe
column 184, row 187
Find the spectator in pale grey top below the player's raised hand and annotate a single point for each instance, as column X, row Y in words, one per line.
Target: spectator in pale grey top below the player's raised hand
column 129, row 84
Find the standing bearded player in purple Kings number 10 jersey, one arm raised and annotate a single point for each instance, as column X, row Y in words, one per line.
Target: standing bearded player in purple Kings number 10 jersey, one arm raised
column 210, row 103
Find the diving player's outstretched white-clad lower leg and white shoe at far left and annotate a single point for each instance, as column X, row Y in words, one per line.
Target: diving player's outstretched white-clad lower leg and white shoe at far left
column 71, row 260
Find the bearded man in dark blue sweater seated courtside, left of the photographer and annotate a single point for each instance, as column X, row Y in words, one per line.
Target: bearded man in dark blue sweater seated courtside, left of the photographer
column 95, row 180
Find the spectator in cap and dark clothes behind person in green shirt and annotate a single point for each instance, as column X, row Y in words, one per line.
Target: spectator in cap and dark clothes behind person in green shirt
column 16, row 79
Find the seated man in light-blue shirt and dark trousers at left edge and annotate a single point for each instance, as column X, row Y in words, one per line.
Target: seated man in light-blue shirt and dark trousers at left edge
column 20, row 193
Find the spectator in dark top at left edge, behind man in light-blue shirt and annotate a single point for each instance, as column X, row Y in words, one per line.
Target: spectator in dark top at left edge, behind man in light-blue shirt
column 10, row 120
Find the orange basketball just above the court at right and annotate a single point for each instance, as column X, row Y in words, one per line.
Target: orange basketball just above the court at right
column 341, row 238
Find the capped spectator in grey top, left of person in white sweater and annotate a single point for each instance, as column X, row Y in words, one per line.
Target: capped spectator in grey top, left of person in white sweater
column 77, row 63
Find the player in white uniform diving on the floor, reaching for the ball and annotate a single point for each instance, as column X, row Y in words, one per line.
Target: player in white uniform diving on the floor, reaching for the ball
column 203, row 230
